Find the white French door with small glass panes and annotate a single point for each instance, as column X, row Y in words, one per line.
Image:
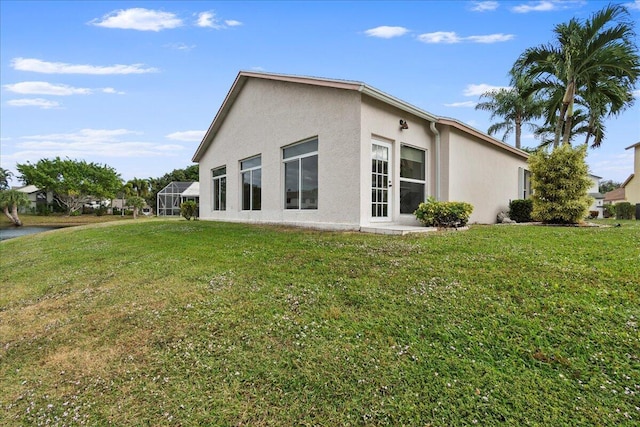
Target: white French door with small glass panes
column 381, row 196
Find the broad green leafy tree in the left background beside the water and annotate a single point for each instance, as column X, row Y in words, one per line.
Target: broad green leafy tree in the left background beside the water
column 73, row 182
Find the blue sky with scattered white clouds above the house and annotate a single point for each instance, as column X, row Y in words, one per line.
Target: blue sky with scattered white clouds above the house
column 135, row 85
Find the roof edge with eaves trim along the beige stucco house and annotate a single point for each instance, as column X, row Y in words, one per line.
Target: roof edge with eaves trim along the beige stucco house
column 244, row 76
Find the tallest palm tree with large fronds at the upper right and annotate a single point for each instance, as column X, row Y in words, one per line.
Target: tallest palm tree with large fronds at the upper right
column 594, row 63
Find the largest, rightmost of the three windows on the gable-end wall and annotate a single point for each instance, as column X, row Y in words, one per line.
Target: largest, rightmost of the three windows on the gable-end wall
column 301, row 175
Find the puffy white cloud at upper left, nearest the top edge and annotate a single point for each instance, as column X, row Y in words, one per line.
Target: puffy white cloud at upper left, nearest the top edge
column 139, row 19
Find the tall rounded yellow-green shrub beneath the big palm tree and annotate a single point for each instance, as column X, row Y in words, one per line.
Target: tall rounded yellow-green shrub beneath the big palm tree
column 560, row 180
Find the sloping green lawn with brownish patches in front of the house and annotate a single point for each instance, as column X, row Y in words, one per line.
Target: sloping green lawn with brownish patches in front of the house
column 201, row 323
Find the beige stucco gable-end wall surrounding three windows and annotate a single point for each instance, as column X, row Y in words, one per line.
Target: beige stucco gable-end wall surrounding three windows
column 268, row 115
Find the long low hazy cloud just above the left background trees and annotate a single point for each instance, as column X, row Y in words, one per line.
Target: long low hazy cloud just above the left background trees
column 92, row 143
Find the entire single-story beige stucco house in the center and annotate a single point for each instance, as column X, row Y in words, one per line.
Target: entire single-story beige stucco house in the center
column 343, row 155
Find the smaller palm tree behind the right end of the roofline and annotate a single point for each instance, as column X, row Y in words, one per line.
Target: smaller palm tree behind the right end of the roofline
column 517, row 105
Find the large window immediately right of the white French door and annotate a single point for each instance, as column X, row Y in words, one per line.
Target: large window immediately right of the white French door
column 412, row 179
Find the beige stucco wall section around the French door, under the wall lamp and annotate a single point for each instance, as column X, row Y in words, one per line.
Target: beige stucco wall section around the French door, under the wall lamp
column 381, row 122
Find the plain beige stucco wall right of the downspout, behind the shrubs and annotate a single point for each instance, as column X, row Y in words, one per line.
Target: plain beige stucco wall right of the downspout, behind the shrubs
column 481, row 174
